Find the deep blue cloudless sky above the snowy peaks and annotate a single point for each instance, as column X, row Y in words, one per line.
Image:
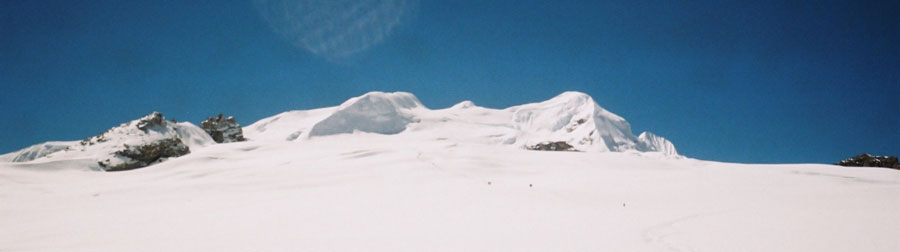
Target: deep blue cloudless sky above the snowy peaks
column 741, row 81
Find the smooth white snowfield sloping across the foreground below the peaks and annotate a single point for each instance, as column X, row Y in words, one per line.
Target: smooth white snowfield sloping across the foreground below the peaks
column 370, row 192
